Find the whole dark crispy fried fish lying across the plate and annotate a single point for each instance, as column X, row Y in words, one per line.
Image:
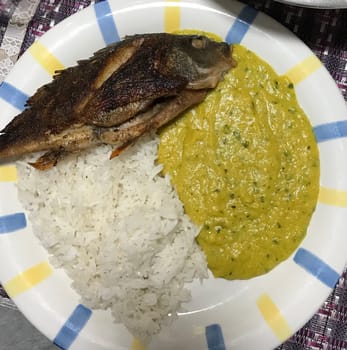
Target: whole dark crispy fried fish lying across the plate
column 122, row 92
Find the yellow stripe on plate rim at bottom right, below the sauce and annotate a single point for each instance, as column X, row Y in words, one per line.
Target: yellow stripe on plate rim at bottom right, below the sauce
column 273, row 317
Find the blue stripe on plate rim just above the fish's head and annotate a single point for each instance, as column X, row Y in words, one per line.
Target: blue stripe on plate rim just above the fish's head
column 241, row 25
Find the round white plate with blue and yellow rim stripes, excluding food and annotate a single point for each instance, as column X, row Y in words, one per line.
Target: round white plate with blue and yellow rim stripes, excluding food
column 259, row 313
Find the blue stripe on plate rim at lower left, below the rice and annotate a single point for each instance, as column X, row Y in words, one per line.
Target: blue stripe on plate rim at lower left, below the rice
column 72, row 327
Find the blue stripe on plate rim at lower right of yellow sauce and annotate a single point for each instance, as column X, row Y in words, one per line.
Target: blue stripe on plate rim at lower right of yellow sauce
column 316, row 267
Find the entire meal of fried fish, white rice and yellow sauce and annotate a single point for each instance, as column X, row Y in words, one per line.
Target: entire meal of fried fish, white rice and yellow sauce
column 230, row 184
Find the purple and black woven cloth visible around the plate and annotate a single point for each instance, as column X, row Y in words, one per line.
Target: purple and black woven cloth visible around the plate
column 325, row 32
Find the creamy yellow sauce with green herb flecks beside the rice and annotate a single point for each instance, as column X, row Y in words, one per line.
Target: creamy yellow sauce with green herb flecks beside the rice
column 245, row 164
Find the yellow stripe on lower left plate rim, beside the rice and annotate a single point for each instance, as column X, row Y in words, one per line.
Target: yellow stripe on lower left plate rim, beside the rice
column 28, row 279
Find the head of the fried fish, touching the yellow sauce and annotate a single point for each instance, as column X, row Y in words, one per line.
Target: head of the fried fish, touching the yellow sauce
column 202, row 61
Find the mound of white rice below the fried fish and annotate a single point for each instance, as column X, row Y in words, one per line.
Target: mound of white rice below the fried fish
column 119, row 230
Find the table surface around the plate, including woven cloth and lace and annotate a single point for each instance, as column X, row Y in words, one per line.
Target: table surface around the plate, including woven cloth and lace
column 323, row 30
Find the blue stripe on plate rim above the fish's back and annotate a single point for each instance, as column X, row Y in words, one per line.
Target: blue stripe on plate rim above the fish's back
column 106, row 23
